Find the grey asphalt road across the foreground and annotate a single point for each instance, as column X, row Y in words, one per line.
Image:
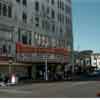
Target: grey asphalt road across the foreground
column 82, row 89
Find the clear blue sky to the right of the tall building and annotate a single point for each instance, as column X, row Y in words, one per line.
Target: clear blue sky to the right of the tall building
column 86, row 24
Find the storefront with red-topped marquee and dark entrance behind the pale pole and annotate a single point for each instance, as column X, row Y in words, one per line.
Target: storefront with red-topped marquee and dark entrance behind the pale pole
column 47, row 63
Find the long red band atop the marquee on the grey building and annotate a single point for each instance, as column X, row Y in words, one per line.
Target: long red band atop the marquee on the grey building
column 20, row 48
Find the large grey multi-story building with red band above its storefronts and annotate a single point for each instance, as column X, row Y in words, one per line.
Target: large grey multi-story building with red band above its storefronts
column 35, row 33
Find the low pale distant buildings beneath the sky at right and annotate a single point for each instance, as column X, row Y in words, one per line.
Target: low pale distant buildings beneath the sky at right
column 87, row 60
